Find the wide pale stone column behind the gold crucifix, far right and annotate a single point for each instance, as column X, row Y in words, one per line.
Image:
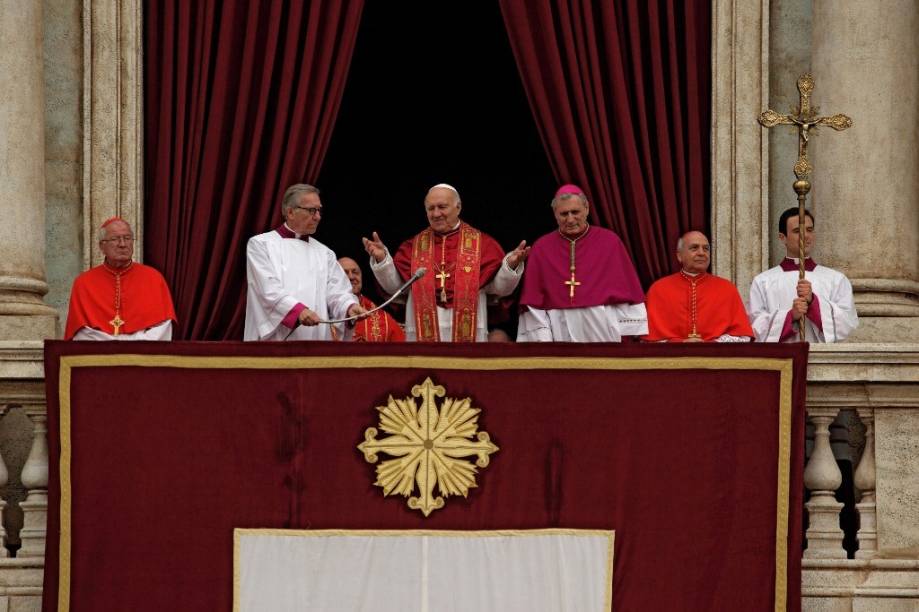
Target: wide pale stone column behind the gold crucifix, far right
column 866, row 189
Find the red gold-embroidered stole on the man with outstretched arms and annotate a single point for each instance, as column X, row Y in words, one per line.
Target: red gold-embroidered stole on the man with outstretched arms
column 464, row 278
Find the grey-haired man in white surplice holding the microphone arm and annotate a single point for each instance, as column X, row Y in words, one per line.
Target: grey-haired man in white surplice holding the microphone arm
column 294, row 280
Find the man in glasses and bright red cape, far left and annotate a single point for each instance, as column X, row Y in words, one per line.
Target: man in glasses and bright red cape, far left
column 119, row 299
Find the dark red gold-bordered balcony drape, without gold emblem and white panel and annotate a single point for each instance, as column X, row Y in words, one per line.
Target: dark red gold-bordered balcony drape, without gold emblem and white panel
column 693, row 455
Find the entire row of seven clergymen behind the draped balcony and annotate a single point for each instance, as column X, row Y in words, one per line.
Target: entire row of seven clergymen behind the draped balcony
column 577, row 284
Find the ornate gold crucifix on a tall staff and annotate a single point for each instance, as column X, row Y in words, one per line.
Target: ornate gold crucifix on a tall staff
column 804, row 117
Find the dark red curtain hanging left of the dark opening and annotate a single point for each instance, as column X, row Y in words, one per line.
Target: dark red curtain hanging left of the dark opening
column 240, row 98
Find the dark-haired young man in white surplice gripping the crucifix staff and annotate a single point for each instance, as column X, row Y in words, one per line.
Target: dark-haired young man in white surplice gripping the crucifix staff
column 822, row 300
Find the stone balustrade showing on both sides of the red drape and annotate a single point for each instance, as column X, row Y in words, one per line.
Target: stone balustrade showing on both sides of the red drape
column 863, row 413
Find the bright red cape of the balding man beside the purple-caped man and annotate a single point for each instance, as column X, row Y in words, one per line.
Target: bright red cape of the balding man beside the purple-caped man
column 718, row 308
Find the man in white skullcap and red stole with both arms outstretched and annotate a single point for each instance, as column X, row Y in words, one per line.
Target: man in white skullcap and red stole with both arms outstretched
column 464, row 266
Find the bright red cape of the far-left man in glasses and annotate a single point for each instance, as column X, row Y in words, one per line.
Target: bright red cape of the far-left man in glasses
column 138, row 294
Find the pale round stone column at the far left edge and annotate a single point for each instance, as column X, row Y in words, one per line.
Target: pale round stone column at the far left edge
column 23, row 313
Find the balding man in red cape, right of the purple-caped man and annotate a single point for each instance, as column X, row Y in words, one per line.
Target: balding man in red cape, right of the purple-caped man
column 693, row 305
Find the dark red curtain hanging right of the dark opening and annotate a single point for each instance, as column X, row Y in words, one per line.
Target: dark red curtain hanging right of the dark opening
column 621, row 96
